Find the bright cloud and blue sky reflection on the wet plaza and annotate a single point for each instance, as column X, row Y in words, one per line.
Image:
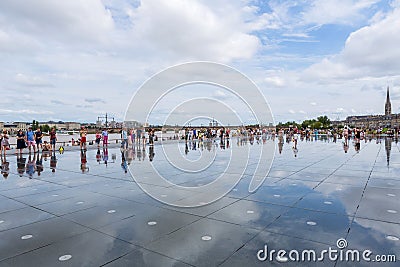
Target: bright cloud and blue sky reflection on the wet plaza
column 306, row 202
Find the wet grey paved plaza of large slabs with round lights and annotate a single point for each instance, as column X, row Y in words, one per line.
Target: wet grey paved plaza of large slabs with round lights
column 85, row 209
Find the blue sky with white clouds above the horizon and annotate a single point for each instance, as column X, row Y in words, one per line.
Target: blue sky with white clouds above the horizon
column 75, row 60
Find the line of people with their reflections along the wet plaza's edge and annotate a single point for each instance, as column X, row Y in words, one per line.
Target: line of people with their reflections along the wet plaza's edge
column 133, row 144
